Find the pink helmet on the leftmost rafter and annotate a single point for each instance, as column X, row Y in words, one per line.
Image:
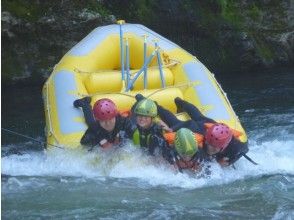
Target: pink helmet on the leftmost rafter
column 104, row 109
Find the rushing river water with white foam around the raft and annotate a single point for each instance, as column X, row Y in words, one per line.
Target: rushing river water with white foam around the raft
column 127, row 184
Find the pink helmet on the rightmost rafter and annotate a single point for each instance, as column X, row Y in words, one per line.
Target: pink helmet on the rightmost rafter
column 219, row 136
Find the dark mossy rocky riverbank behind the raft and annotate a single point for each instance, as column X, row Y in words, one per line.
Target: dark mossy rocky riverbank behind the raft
column 225, row 35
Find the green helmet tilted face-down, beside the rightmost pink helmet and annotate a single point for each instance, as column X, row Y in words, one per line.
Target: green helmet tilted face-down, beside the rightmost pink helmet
column 185, row 142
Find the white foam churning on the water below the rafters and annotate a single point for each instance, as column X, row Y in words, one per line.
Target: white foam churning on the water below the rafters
column 274, row 157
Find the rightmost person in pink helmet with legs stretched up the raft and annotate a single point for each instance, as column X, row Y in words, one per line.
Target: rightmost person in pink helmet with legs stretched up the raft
column 219, row 141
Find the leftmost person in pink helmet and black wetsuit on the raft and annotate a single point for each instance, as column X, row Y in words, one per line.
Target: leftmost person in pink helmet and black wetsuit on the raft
column 106, row 127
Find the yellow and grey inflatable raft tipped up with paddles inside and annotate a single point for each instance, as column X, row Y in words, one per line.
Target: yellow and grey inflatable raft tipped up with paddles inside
column 119, row 61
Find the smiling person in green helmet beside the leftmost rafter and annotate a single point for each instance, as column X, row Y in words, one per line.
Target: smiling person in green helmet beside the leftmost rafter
column 149, row 133
